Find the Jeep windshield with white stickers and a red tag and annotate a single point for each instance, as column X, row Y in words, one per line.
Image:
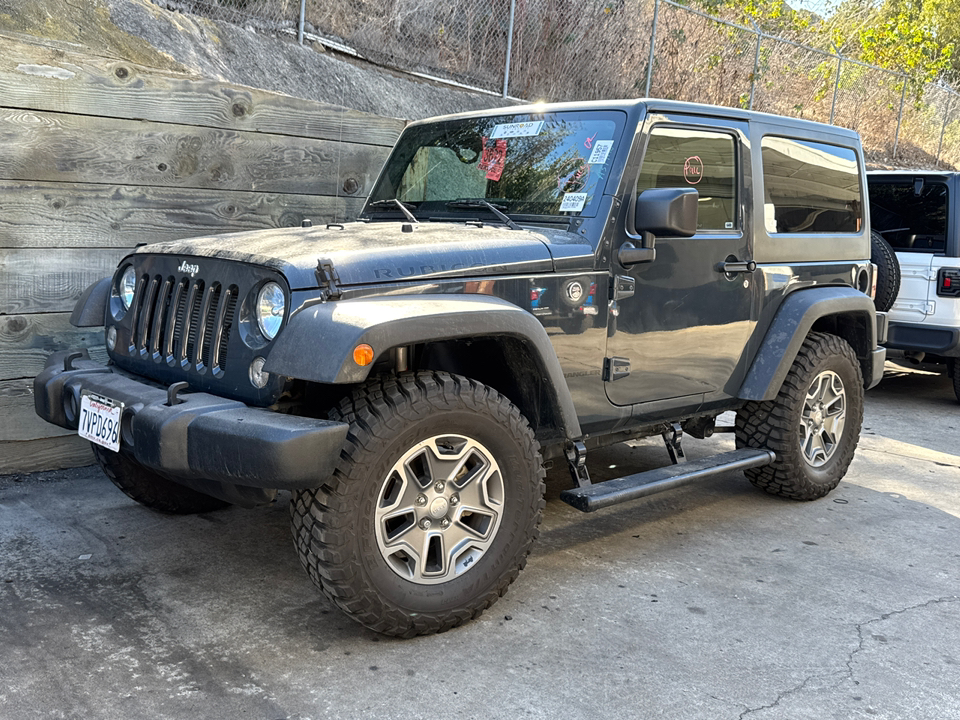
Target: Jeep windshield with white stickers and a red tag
column 527, row 164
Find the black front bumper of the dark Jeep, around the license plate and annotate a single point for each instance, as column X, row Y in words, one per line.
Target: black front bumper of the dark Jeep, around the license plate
column 203, row 437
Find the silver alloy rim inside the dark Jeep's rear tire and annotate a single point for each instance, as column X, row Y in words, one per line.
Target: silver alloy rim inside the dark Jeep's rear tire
column 822, row 418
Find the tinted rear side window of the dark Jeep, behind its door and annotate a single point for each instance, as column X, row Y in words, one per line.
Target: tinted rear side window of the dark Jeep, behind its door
column 810, row 187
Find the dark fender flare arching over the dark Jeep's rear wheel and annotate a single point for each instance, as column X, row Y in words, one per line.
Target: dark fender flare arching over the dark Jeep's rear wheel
column 794, row 320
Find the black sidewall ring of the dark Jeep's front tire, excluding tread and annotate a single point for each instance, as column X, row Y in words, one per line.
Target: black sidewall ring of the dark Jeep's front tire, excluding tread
column 519, row 513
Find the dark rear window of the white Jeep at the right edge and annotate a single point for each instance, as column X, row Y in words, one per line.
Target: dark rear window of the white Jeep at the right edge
column 910, row 220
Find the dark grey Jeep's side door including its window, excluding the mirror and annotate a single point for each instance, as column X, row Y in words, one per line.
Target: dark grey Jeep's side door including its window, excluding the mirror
column 684, row 331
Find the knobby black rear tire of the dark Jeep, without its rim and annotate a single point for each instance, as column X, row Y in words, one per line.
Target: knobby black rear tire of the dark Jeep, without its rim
column 776, row 424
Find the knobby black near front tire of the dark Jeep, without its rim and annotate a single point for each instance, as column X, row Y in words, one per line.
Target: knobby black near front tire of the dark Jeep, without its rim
column 334, row 529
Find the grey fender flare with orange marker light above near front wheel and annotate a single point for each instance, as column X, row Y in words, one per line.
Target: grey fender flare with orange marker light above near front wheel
column 317, row 343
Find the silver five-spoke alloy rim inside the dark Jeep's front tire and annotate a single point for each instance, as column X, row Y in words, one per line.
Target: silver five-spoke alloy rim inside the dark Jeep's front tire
column 439, row 509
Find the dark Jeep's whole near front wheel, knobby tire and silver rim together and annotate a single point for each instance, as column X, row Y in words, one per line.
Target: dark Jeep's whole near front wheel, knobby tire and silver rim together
column 432, row 509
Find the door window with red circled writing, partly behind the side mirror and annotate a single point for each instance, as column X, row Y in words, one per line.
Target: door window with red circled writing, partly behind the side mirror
column 704, row 161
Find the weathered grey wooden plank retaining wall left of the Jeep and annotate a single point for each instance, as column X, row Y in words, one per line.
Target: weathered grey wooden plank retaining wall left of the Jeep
column 98, row 154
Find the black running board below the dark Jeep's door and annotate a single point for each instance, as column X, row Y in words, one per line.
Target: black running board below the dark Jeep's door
column 638, row 485
